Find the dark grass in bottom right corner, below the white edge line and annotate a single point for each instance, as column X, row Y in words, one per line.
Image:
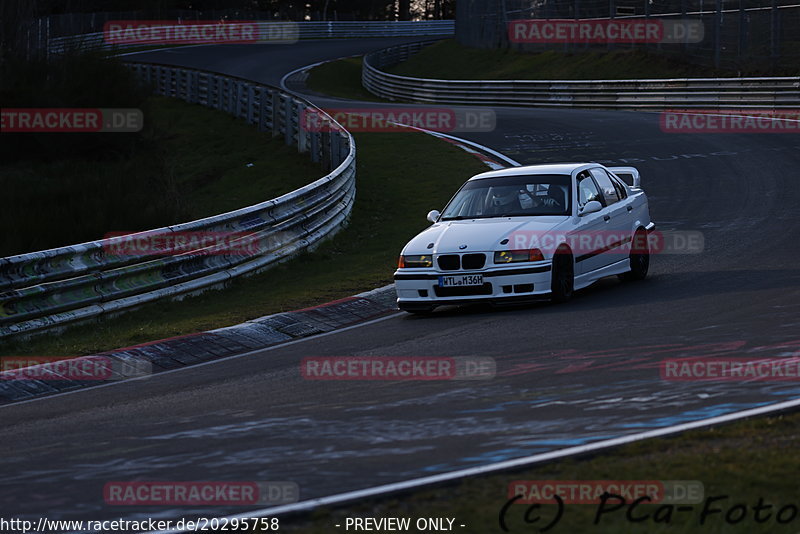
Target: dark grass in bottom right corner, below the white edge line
column 746, row 460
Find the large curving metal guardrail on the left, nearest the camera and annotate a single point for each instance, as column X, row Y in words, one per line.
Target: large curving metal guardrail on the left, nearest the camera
column 61, row 285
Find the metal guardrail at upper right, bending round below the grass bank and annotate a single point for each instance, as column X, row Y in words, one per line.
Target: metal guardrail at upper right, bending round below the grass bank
column 683, row 93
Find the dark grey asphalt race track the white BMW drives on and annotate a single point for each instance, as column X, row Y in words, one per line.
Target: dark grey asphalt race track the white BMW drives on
column 567, row 374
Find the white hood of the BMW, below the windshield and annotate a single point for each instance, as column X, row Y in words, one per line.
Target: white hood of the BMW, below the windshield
column 479, row 235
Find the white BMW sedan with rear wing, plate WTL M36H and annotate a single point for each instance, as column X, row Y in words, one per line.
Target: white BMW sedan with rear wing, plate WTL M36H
column 526, row 233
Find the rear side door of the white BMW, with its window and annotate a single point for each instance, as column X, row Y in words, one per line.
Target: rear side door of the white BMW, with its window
column 617, row 218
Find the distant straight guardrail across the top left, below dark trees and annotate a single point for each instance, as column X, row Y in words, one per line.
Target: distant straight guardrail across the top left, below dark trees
column 279, row 31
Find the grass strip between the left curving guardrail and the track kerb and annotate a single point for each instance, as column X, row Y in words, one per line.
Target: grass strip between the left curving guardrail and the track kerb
column 400, row 177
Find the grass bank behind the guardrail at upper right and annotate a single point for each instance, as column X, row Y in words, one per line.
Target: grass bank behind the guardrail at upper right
column 450, row 60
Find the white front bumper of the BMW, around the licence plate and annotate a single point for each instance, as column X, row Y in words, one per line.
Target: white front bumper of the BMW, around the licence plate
column 418, row 289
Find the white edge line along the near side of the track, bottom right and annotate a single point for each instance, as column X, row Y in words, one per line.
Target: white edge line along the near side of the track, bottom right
column 418, row 483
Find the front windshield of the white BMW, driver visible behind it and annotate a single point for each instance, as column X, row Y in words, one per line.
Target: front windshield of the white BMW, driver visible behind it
column 510, row 196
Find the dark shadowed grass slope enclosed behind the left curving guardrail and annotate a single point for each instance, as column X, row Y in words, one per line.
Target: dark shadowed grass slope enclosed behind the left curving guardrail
column 182, row 170
